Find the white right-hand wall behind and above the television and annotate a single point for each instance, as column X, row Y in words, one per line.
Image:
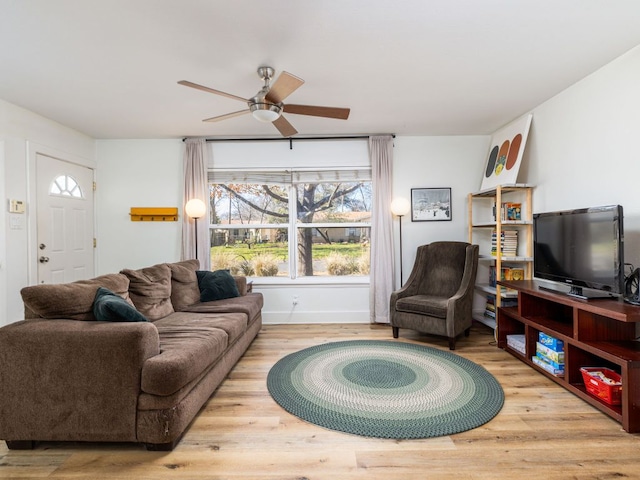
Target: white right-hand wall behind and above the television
column 582, row 149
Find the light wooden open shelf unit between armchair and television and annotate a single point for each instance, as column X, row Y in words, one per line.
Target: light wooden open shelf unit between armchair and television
column 482, row 222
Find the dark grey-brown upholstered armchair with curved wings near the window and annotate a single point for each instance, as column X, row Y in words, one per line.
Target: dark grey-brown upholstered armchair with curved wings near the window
column 438, row 296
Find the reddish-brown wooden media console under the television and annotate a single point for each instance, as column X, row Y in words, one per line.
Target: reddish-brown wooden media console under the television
column 596, row 333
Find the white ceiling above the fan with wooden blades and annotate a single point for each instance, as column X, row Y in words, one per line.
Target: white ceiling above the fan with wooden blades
column 109, row 68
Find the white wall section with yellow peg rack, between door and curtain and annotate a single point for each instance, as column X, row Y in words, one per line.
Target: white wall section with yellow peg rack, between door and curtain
column 137, row 173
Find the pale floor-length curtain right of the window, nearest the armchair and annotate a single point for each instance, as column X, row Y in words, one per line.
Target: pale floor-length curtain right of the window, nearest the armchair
column 382, row 268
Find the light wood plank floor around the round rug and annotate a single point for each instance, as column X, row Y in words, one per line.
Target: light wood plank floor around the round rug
column 542, row 432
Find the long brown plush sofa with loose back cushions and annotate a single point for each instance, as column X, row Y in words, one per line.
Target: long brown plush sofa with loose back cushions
column 66, row 377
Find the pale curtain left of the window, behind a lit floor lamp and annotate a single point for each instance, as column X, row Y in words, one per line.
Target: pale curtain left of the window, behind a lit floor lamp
column 196, row 185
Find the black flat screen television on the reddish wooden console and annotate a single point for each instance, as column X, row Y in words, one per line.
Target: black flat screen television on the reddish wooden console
column 582, row 248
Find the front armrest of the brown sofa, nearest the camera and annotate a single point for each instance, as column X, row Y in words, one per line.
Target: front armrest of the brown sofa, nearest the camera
column 72, row 380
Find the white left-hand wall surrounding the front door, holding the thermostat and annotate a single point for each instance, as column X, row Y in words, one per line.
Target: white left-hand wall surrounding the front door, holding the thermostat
column 22, row 135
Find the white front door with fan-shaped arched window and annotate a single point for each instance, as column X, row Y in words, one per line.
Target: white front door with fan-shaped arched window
column 64, row 220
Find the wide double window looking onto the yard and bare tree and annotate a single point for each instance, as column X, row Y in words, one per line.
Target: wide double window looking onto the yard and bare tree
column 291, row 224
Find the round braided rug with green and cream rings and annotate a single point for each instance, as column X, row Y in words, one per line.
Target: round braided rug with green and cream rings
column 385, row 389
